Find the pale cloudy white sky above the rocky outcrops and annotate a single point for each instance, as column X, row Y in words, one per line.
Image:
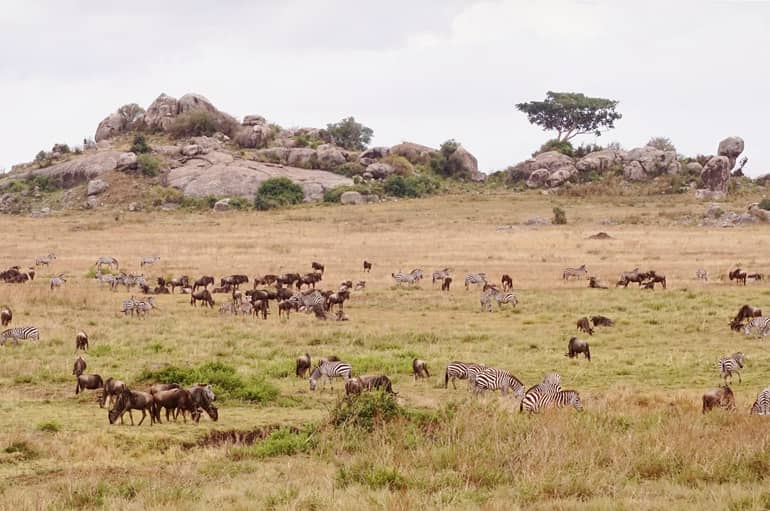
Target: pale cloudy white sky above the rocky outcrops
column 423, row 71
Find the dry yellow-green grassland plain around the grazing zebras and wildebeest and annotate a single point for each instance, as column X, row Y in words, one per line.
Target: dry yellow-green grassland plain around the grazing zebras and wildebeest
column 641, row 443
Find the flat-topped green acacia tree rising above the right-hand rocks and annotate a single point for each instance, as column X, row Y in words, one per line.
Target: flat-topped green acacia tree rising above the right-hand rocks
column 571, row 114
